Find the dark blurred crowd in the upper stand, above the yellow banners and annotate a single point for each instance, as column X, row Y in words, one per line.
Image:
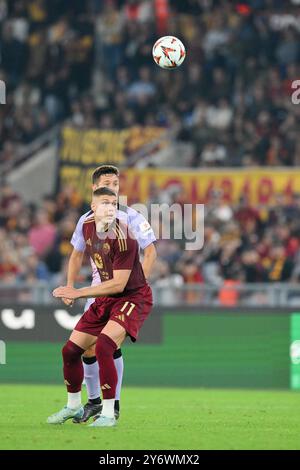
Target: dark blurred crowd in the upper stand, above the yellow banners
column 91, row 62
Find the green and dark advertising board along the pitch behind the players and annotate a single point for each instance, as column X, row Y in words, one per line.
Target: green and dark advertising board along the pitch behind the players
column 182, row 347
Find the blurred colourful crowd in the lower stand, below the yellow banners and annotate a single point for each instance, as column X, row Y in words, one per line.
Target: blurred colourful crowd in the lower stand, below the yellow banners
column 242, row 244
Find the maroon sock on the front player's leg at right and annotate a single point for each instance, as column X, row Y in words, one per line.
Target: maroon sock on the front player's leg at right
column 105, row 348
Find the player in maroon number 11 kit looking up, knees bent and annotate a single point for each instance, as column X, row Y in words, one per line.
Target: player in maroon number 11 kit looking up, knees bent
column 123, row 302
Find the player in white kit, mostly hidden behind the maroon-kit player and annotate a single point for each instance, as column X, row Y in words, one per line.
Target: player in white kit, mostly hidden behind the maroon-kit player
column 106, row 176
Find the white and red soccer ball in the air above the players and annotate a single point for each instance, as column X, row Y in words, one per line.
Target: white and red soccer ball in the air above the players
column 168, row 52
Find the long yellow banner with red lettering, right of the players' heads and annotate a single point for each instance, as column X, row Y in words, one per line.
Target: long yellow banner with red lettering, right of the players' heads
column 261, row 186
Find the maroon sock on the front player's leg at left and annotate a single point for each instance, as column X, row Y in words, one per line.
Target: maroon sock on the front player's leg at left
column 73, row 368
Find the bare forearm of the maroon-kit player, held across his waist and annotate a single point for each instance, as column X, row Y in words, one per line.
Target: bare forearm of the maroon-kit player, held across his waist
column 115, row 285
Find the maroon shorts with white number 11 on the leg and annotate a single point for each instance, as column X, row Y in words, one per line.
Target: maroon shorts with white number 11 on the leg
column 130, row 311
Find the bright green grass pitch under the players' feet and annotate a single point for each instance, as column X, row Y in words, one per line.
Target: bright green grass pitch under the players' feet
column 155, row 418
